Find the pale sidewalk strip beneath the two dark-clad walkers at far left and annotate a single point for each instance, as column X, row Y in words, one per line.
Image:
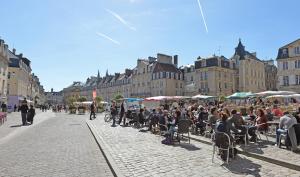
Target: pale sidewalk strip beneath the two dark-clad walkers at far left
column 13, row 125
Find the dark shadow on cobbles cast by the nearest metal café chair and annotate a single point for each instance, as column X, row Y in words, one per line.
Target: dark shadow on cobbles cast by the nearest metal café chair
column 243, row 166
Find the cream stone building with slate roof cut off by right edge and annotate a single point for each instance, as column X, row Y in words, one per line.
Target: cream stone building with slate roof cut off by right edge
column 288, row 61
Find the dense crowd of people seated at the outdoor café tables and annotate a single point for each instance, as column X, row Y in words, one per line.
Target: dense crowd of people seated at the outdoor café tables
column 214, row 117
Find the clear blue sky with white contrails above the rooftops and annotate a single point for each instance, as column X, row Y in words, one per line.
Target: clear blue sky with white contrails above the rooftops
column 69, row 40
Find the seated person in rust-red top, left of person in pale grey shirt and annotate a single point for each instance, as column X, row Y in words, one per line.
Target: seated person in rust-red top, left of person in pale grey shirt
column 260, row 125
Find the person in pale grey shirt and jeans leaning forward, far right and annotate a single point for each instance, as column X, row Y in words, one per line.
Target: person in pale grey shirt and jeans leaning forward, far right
column 286, row 124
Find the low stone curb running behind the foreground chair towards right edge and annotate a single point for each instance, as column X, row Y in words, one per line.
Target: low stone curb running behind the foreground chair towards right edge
column 256, row 156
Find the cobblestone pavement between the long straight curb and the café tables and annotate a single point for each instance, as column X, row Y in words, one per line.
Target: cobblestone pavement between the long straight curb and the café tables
column 138, row 153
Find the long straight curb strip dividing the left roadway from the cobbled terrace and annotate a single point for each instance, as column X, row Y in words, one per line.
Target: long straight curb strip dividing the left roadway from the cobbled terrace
column 111, row 163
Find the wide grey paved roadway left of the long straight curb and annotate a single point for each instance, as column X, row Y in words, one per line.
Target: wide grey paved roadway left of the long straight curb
column 59, row 146
